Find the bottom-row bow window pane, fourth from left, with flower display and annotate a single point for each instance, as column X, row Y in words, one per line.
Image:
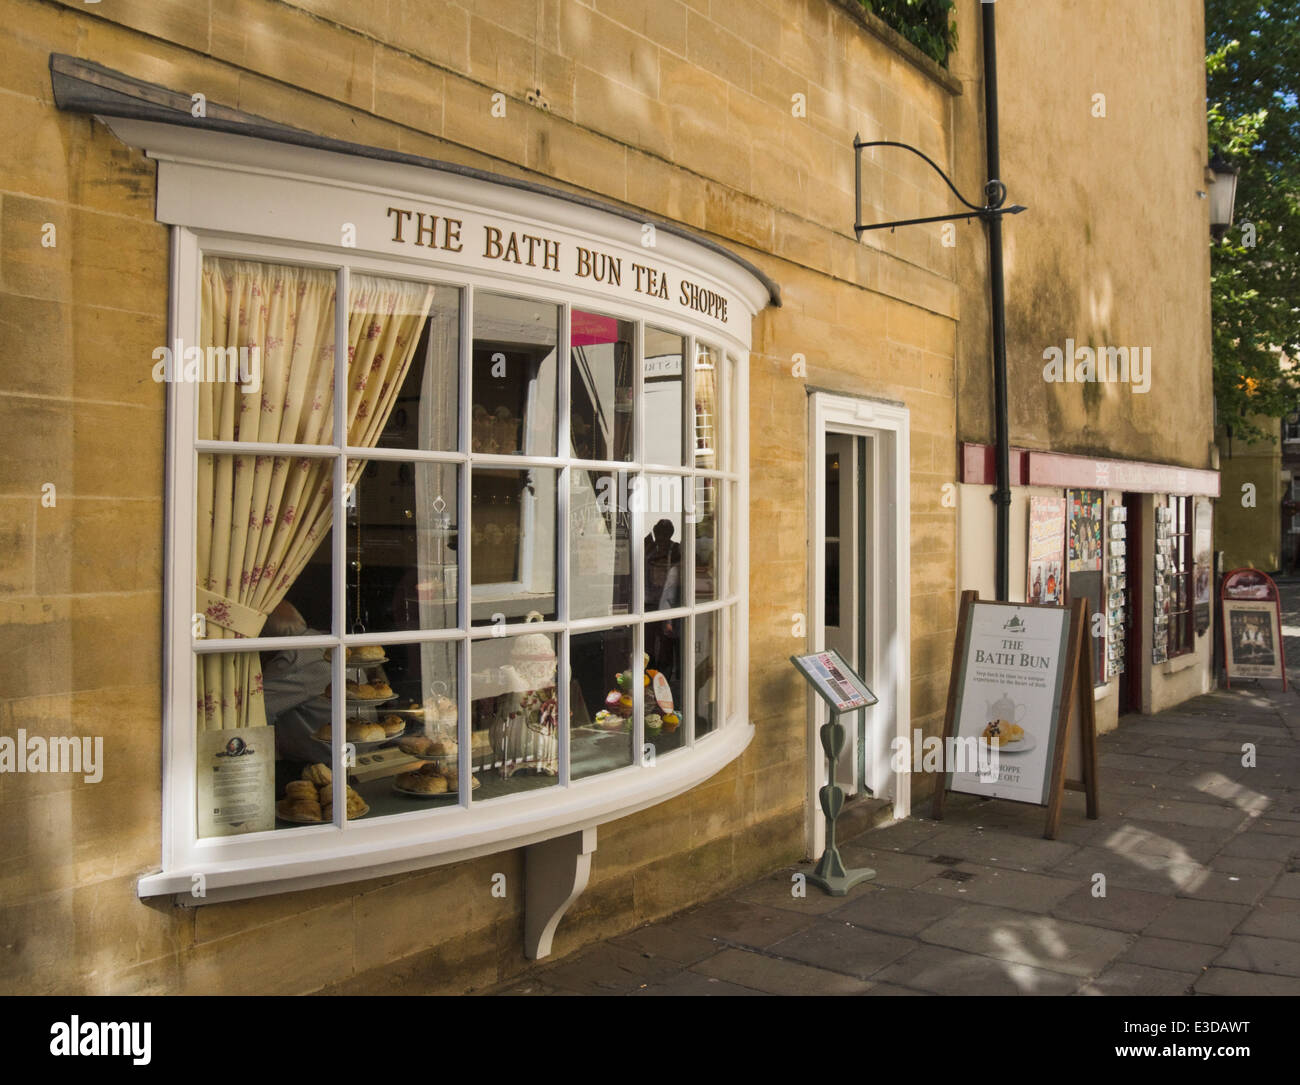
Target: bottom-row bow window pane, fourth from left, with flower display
column 601, row 688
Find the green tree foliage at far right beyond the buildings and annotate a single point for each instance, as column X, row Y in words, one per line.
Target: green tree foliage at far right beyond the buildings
column 1253, row 86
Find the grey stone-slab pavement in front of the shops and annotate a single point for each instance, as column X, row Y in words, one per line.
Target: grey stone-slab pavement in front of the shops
column 1201, row 857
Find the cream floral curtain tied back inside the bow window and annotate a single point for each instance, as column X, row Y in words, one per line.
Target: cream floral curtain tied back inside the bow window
column 261, row 518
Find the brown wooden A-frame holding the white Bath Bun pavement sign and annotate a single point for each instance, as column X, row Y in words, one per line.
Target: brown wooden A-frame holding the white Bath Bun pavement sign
column 1077, row 691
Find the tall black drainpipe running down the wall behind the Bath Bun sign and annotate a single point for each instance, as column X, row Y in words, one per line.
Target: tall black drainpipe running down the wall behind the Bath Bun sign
column 1003, row 491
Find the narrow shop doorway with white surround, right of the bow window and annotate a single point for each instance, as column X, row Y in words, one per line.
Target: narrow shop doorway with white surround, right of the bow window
column 859, row 576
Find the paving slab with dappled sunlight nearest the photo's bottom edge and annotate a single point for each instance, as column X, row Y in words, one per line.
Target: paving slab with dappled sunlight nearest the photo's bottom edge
column 1024, row 939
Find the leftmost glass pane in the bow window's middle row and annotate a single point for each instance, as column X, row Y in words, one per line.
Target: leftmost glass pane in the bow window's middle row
column 262, row 531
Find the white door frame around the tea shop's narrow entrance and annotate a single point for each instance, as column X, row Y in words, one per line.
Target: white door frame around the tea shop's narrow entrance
column 887, row 426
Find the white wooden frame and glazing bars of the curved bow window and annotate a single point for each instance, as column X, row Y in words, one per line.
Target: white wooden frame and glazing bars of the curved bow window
column 285, row 861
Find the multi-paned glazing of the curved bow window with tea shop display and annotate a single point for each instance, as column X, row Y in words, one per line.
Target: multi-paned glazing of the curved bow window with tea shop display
column 486, row 542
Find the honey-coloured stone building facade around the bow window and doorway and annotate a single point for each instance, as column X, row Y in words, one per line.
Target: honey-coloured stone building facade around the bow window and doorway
column 730, row 124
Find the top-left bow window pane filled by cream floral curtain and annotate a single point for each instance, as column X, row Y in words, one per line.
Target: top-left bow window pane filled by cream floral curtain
column 266, row 358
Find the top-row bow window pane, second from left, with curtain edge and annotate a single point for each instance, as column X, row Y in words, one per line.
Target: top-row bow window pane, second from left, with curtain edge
column 426, row 411
